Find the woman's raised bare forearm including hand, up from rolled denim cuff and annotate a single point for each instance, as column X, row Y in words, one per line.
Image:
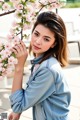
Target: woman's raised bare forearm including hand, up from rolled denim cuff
column 21, row 54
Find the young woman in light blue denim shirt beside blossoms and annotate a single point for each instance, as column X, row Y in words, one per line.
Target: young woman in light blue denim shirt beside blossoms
column 47, row 90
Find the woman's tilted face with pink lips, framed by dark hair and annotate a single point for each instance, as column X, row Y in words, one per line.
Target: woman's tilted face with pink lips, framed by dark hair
column 42, row 39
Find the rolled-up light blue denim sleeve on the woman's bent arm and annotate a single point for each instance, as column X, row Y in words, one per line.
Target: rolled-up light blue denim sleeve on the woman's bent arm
column 41, row 87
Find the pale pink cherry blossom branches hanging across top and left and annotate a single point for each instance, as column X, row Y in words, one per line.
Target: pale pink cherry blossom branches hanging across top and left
column 25, row 15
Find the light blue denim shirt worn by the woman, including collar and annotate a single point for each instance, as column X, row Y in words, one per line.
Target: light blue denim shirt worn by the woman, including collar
column 47, row 92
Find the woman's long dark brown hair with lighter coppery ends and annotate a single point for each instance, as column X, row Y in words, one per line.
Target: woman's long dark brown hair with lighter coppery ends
column 55, row 24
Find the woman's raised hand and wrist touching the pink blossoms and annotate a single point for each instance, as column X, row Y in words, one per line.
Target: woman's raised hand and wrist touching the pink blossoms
column 21, row 53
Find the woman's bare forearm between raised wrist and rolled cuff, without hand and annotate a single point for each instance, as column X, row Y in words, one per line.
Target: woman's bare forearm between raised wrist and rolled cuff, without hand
column 18, row 78
